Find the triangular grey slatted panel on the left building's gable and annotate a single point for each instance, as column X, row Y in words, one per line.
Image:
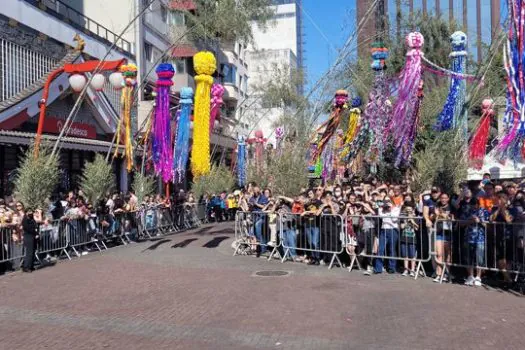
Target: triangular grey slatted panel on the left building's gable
column 20, row 68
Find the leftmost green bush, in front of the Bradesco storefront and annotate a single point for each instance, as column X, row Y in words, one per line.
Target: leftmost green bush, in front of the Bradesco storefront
column 36, row 179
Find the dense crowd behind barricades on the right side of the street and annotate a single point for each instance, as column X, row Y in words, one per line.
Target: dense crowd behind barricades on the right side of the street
column 481, row 227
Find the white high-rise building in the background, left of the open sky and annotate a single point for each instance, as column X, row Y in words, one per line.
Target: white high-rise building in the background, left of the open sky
column 279, row 45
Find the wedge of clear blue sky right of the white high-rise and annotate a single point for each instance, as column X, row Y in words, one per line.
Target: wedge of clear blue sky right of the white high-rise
column 324, row 24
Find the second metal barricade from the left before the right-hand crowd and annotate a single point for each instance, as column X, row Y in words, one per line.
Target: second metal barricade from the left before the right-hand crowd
column 319, row 237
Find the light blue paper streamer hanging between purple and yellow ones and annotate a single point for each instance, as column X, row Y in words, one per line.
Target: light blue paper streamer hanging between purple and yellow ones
column 181, row 149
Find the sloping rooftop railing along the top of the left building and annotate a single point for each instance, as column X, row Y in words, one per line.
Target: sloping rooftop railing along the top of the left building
column 75, row 18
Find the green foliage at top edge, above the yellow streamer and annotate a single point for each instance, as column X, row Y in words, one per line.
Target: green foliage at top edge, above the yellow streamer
column 228, row 20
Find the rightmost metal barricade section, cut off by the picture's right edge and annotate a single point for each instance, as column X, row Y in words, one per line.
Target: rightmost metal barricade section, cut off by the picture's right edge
column 478, row 247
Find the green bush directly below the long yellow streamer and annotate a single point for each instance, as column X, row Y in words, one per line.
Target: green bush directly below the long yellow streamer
column 219, row 179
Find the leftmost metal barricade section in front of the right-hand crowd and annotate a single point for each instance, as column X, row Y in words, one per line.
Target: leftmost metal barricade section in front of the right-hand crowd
column 257, row 232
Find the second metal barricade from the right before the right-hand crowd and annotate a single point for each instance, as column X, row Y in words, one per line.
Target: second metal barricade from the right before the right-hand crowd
column 373, row 239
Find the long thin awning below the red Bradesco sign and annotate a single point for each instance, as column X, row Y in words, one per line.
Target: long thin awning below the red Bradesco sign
column 26, row 138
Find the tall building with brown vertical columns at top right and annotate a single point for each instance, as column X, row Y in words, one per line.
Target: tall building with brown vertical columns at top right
column 479, row 19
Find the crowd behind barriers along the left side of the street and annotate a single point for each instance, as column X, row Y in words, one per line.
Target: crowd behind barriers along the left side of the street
column 72, row 228
